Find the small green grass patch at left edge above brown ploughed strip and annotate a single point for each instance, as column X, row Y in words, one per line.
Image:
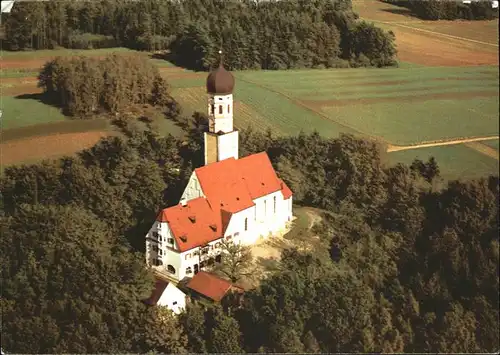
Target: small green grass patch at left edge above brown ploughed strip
column 26, row 112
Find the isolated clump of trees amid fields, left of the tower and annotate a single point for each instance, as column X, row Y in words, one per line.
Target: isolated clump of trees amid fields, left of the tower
column 85, row 86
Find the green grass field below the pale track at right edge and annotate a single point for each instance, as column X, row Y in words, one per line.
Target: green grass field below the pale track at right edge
column 454, row 161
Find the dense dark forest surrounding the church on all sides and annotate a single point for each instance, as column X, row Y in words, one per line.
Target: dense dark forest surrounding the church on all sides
column 412, row 264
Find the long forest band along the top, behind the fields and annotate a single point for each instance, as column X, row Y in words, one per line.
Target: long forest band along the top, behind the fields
column 255, row 35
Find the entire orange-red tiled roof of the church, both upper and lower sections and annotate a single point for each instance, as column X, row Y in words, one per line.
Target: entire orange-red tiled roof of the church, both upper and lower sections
column 230, row 186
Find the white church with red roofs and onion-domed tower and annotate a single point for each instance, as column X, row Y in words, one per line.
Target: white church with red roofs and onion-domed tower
column 231, row 199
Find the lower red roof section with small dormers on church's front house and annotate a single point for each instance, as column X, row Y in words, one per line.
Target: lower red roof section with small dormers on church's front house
column 190, row 232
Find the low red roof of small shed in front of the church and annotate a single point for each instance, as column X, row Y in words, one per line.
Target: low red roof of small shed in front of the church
column 211, row 286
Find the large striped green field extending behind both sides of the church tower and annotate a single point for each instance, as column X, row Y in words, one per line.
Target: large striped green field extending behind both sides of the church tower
column 397, row 105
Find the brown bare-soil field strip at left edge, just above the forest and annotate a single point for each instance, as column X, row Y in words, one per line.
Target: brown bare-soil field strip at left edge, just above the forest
column 43, row 147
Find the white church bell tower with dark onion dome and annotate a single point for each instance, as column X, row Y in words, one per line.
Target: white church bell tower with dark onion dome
column 221, row 140
